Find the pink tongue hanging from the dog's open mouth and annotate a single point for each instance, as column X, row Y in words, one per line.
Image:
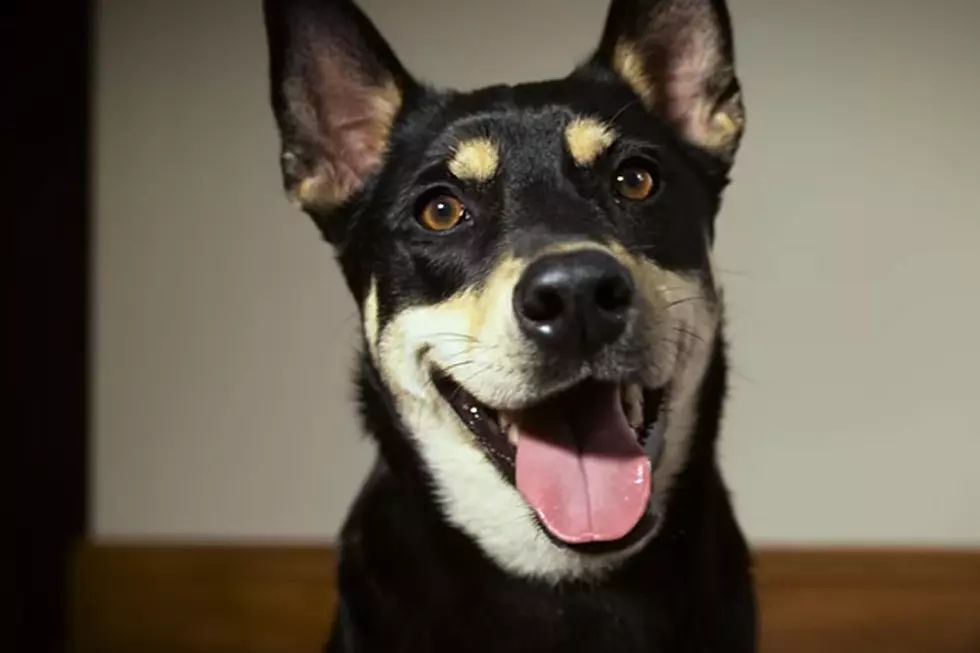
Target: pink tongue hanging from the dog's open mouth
column 580, row 467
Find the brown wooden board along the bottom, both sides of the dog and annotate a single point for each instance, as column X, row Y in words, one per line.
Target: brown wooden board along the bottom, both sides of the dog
column 265, row 599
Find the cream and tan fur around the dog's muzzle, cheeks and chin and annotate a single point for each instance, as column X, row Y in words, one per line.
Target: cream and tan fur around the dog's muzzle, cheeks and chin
column 474, row 337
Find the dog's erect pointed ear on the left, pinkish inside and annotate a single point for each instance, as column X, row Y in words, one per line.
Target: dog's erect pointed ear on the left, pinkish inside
column 336, row 91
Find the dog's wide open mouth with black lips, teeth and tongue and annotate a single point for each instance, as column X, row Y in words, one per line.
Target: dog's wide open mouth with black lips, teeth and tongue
column 582, row 458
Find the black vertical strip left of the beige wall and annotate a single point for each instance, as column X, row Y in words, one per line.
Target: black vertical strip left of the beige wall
column 44, row 120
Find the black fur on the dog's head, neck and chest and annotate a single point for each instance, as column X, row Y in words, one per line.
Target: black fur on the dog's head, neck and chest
column 408, row 580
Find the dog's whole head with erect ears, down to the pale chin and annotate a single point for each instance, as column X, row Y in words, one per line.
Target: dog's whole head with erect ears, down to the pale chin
column 532, row 263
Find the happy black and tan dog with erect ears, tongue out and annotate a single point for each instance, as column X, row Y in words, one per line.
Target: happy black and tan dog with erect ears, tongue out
column 543, row 367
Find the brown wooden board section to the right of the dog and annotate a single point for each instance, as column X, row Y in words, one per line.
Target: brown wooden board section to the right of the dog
column 894, row 601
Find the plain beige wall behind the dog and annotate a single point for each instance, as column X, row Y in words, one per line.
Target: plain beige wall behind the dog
column 849, row 242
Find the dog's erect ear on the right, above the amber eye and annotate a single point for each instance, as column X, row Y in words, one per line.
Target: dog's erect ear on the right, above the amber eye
column 678, row 57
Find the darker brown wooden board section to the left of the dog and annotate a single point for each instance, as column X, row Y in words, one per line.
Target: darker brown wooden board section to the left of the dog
column 202, row 599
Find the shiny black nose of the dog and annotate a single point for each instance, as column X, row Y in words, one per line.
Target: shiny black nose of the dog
column 574, row 302
